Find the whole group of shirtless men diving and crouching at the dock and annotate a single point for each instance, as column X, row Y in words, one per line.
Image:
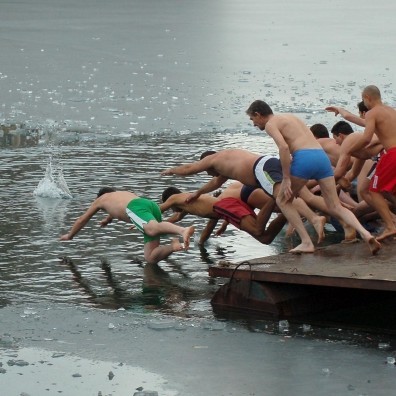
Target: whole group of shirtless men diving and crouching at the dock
column 275, row 183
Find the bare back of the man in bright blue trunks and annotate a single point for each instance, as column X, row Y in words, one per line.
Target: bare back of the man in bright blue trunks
column 294, row 131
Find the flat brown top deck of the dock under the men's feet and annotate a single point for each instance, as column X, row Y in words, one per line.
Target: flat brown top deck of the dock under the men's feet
column 339, row 265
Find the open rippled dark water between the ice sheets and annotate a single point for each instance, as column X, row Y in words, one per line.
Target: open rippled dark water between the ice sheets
column 103, row 267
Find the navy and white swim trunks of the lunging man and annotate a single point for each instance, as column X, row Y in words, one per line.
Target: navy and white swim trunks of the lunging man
column 268, row 172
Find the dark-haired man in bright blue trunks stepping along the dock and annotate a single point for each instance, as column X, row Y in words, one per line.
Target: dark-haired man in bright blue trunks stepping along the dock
column 302, row 159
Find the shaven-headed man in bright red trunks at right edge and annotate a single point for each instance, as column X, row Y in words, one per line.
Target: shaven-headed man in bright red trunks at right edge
column 380, row 120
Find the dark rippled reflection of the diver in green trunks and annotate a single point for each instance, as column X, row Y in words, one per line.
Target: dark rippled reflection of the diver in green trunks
column 159, row 289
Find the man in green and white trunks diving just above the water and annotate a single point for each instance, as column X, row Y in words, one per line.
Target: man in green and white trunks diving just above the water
column 143, row 213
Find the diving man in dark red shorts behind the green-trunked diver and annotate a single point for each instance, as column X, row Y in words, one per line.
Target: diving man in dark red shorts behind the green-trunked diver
column 229, row 208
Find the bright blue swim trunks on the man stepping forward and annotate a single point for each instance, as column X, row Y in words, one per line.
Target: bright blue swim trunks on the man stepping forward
column 311, row 164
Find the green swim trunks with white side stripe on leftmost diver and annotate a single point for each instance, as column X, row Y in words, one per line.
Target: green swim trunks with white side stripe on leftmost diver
column 141, row 211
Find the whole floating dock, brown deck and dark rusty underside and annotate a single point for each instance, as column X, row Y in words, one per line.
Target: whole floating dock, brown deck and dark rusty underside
column 289, row 285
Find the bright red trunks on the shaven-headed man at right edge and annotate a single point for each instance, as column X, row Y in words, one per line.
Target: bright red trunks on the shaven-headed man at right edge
column 384, row 179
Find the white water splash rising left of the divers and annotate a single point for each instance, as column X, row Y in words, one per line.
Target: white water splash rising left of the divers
column 53, row 185
